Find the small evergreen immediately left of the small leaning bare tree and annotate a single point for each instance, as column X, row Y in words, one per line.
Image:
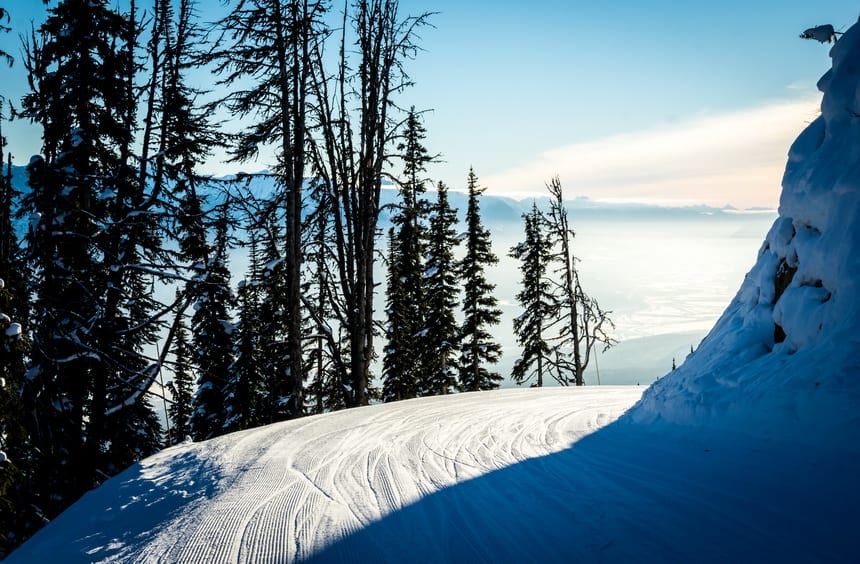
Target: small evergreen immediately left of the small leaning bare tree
column 537, row 300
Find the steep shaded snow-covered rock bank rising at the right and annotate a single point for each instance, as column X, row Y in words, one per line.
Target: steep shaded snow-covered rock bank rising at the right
column 787, row 349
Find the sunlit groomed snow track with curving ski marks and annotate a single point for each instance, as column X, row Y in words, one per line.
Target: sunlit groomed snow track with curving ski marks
column 296, row 487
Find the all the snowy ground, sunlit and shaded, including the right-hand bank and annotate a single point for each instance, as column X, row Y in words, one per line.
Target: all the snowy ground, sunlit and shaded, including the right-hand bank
column 747, row 452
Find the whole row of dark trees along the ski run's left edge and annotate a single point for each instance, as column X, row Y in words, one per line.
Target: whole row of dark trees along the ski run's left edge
column 116, row 209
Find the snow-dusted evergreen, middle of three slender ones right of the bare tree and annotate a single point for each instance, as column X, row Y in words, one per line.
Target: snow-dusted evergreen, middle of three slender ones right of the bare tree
column 442, row 288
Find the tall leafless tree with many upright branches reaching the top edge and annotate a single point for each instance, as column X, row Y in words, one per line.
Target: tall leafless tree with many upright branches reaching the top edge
column 353, row 133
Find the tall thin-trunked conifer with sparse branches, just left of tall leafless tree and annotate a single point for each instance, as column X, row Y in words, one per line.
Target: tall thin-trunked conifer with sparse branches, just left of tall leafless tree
column 269, row 47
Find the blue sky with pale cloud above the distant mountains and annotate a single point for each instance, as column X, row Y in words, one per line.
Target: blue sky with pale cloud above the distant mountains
column 661, row 102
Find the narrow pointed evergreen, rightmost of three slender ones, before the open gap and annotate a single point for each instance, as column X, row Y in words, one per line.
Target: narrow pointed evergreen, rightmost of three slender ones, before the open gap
column 477, row 347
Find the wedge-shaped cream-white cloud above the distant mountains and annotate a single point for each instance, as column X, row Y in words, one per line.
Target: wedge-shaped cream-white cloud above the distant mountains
column 735, row 158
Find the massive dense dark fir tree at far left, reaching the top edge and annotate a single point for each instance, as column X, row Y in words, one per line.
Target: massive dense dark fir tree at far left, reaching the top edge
column 89, row 374
